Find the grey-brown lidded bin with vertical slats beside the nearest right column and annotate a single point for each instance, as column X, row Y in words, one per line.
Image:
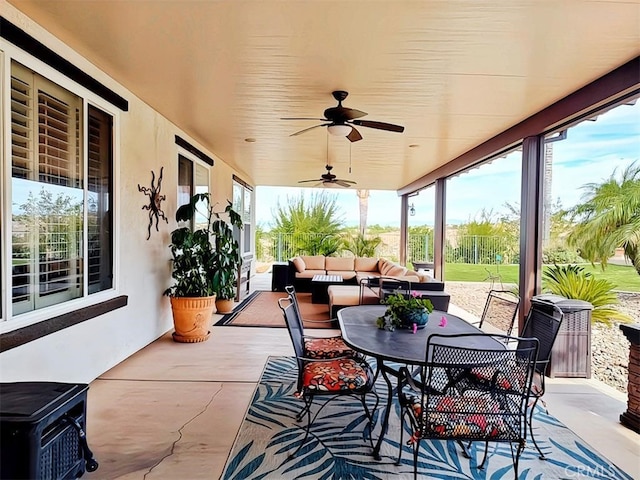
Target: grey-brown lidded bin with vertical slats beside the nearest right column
column 571, row 354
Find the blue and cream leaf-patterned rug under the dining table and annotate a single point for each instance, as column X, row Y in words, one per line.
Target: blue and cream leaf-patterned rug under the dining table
column 338, row 448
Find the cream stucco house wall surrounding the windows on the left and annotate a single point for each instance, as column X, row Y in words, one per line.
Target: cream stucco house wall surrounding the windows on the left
column 146, row 142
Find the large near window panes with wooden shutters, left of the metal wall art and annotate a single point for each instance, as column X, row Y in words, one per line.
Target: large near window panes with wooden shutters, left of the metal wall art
column 49, row 183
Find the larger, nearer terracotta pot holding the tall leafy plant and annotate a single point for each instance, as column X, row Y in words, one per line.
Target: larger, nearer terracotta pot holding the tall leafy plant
column 192, row 318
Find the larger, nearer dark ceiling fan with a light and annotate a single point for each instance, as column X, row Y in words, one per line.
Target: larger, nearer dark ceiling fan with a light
column 341, row 120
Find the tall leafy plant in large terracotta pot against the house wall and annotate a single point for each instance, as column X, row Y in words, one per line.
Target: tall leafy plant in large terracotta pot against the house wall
column 205, row 263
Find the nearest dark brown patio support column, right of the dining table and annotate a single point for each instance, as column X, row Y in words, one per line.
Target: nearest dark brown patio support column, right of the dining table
column 531, row 215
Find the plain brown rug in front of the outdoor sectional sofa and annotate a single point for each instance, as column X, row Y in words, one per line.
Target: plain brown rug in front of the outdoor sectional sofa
column 261, row 309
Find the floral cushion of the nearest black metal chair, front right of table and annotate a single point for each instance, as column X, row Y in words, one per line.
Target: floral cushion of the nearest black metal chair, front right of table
column 462, row 417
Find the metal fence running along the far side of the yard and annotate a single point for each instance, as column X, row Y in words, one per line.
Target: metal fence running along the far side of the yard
column 477, row 249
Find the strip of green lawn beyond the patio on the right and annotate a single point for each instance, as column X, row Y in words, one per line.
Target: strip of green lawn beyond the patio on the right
column 623, row 277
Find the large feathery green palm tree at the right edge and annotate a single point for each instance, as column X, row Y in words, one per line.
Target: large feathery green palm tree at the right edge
column 609, row 218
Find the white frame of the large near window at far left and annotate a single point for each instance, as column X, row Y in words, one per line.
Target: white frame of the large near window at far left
column 9, row 321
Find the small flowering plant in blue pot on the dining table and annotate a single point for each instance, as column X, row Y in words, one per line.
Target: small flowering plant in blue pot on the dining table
column 408, row 311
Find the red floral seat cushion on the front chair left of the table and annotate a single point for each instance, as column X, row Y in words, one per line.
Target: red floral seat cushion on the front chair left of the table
column 334, row 375
